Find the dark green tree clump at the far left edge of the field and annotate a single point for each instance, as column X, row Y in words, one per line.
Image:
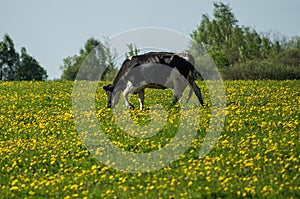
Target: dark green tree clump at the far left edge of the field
column 18, row 66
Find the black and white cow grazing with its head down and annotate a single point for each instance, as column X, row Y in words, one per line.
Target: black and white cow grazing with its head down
column 153, row 70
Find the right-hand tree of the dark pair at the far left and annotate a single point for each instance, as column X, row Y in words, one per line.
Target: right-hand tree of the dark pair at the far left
column 29, row 68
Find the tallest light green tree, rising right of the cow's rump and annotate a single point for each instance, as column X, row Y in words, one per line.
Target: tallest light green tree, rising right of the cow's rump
column 216, row 35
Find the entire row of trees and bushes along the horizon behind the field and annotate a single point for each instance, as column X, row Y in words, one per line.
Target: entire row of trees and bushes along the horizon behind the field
column 238, row 51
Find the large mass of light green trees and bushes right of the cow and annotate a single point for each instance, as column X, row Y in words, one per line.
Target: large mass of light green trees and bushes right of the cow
column 237, row 50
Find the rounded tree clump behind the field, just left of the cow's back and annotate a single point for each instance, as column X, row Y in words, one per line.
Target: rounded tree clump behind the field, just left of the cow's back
column 94, row 59
